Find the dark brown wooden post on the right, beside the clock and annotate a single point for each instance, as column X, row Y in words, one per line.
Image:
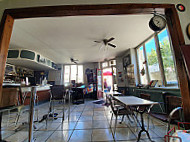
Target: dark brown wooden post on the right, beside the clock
column 177, row 41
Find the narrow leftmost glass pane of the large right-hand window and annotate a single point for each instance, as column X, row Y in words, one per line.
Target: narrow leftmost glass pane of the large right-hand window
column 142, row 68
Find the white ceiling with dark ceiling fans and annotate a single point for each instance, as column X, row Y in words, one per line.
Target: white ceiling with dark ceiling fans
column 61, row 38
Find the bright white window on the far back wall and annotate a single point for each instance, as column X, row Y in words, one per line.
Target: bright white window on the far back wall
column 73, row 72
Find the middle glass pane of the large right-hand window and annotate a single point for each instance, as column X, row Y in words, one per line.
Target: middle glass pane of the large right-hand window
column 152, row 60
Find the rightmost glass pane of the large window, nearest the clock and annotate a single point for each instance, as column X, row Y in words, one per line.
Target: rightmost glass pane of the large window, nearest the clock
column 167, row 57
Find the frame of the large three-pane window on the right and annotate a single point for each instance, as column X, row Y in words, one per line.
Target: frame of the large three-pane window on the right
column 159, row 56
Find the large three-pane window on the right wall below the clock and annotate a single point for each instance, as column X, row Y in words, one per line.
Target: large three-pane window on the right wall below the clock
column 155, row 61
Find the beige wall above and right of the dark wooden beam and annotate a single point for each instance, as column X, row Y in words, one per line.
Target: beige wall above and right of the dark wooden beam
column 184, row 16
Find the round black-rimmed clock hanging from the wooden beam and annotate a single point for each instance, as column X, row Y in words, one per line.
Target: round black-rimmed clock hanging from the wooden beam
column 157, row 23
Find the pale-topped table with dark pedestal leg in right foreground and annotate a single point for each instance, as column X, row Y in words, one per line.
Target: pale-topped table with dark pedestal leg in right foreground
column 135, row 102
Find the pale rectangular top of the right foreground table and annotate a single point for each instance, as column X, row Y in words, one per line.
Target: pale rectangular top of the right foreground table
column 134, row 101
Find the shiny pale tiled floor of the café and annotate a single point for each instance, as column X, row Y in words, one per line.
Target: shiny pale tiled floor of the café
column 88, row 122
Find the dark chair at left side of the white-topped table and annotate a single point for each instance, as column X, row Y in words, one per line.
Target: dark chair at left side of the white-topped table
column 119, row 110
